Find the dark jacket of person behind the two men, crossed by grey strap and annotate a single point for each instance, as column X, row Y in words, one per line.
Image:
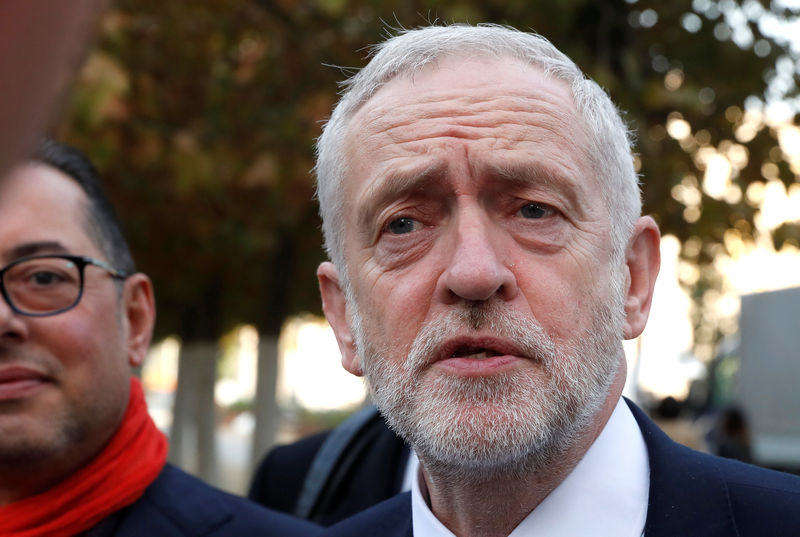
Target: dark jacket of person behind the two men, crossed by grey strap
column 369, row 471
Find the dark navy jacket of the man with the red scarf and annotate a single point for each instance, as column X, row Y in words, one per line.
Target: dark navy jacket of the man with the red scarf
column 179, row 505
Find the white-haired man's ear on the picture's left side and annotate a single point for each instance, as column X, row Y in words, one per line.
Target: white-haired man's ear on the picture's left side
column 334, row 304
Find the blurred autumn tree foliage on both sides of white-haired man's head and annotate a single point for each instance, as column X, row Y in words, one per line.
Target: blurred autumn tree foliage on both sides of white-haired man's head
column 201, row 117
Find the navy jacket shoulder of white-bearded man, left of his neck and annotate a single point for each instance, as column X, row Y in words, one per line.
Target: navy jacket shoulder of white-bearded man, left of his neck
column 390, row 518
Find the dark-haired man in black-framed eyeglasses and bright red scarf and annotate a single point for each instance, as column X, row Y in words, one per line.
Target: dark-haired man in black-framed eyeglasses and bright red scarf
column 79, row 454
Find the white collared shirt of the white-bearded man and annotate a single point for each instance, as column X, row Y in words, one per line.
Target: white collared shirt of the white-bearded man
column 605, row 495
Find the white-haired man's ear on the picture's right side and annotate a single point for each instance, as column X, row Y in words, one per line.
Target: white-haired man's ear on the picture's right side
column 643, row 259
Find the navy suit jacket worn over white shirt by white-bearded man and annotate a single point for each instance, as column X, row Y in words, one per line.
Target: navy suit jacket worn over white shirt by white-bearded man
column 691, row 495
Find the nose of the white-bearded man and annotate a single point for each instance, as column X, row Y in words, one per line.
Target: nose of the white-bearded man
column 478, row 268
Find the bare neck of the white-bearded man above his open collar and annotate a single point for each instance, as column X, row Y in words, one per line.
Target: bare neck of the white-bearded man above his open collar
column 493, row 506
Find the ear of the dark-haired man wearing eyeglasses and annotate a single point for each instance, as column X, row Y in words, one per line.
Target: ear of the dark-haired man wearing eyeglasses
column 140, row 313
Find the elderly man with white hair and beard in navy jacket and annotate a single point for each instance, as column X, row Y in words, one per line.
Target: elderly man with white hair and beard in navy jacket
column 488, row 256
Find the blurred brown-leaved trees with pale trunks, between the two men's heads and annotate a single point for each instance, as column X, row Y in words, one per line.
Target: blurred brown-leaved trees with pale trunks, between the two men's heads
column 201, row 120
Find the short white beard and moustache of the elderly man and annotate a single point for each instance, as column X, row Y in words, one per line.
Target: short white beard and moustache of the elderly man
column 507, row 423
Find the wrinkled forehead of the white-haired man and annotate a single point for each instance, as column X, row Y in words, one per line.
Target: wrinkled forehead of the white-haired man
column 505, row 101
